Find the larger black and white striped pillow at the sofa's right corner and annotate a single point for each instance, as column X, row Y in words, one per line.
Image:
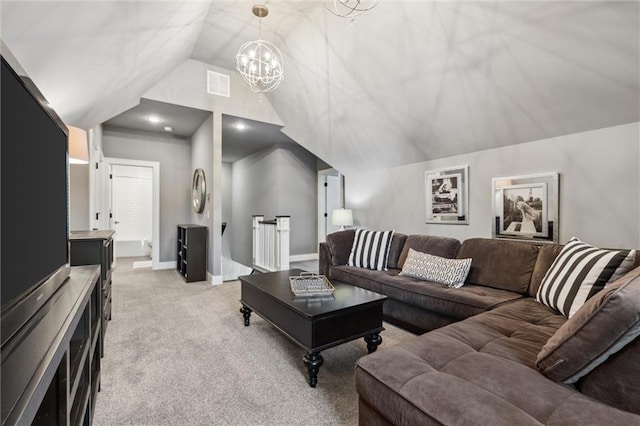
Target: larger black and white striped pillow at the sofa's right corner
column 579, row 272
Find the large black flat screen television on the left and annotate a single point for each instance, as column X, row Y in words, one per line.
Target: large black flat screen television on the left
column 34, row 236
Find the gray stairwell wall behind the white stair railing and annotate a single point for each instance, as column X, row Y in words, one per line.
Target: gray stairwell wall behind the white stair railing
column 280, row 180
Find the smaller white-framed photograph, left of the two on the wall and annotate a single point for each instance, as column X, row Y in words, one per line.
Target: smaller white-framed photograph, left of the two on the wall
column 446, row 195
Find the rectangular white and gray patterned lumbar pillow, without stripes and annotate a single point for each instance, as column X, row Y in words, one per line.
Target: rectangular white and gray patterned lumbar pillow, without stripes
column 450, row 272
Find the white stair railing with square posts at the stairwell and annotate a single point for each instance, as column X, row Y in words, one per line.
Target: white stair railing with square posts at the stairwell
column 270, row 243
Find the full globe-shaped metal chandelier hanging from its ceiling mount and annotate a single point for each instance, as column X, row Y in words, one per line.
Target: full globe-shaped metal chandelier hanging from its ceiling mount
column 259, row 62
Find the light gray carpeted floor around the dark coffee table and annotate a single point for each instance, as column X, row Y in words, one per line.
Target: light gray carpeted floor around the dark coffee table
column 178, row 353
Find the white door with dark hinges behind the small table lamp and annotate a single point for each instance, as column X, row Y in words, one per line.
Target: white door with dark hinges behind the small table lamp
column 330, row 197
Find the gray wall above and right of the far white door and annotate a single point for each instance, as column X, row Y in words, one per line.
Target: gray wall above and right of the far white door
column 174, row 156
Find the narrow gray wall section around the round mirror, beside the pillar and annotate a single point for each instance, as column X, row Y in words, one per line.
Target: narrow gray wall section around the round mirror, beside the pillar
column 202, row 157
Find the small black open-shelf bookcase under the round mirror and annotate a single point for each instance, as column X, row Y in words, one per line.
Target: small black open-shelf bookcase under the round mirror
column 192, row 252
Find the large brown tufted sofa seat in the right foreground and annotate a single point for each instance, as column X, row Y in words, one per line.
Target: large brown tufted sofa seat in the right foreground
column 436, row 375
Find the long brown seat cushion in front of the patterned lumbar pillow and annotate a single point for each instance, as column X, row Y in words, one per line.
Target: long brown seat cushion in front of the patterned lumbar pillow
column 456, row 303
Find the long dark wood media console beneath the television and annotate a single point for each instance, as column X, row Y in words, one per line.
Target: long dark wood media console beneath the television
column 51, row 367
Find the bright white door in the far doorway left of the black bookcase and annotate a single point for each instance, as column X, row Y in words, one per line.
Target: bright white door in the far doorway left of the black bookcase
column 132, row 209
